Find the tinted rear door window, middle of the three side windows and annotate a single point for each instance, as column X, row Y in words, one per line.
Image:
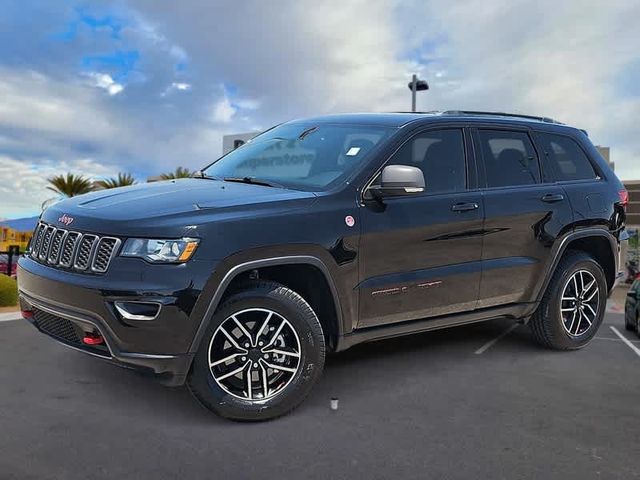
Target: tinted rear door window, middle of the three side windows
column 509, row 158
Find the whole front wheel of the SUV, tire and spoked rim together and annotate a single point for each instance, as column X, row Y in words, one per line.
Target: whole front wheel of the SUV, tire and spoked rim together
column 262, row 308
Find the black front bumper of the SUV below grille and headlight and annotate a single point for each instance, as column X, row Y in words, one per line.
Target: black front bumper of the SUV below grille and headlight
column 86, row 304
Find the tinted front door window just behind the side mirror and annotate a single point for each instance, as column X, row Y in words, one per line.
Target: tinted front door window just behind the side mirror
column 440, row 156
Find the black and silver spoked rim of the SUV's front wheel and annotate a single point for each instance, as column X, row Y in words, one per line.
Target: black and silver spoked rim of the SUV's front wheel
column 254, row 354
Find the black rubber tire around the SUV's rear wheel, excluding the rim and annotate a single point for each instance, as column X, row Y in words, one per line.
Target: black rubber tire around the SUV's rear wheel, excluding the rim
column 553, row 307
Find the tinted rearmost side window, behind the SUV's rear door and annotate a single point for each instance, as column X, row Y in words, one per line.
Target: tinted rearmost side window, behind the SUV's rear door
column 565, row 158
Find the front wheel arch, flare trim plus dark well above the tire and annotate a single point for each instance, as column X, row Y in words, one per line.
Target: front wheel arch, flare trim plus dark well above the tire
column 276, row 269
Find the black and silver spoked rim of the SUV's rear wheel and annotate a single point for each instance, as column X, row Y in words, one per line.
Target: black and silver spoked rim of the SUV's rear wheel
column 579, row 303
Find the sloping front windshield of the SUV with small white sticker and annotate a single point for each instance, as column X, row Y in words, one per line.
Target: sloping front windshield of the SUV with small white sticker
column 303, row 157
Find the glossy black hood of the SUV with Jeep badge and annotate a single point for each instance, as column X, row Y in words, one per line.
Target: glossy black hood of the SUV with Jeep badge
column 173, row 202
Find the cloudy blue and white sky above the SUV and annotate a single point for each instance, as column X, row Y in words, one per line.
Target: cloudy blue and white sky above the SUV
column 144, row 86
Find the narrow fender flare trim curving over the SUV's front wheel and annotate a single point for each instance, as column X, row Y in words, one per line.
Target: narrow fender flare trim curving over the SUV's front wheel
column 234, row 271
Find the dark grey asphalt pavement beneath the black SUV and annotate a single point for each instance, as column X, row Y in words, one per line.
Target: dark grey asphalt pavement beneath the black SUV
column 474, row 402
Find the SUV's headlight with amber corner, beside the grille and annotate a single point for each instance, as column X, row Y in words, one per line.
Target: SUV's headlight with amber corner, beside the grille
column 160, row 251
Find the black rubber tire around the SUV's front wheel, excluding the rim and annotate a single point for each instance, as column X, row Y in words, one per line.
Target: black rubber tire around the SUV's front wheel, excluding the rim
column 303, row 320
